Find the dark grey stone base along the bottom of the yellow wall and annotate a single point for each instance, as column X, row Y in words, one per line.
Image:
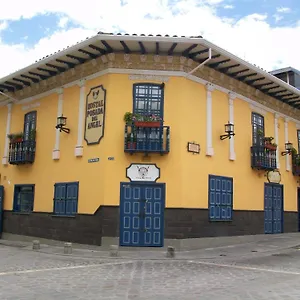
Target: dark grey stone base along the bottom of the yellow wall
column 180, row 223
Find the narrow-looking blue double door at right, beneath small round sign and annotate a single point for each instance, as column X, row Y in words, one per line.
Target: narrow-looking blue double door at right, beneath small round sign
column 273, row 203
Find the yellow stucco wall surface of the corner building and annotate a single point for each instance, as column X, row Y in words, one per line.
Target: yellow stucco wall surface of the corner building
column 185, row 174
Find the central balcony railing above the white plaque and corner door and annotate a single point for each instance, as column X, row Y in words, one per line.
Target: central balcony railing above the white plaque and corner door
column 147, row 139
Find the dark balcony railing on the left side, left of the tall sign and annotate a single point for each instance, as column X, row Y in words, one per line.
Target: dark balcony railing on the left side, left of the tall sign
column 22, row 152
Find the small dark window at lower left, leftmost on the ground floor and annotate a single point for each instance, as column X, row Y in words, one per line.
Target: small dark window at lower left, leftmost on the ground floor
column 23, row 198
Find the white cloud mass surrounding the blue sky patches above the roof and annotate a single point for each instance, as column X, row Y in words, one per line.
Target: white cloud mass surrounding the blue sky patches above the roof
column 251, row 36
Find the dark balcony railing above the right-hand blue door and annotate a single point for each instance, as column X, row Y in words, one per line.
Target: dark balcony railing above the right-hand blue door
column 263, row 158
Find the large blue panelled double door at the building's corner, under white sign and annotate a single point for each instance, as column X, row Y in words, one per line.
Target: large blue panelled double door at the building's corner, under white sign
column 142, row 214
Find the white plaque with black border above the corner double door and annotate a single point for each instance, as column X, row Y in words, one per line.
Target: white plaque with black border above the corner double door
column 141, row 172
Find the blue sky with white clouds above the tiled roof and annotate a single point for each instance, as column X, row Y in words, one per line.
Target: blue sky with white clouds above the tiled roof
column 263, row 32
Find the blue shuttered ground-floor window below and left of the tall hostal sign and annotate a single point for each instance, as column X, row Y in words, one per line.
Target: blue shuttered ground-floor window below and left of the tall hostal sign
column 65, row 198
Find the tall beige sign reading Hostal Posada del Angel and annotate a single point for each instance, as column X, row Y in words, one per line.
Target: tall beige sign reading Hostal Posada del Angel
column 95, row 115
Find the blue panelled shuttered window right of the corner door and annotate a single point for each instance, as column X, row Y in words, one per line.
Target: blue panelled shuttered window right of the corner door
column 220, row 198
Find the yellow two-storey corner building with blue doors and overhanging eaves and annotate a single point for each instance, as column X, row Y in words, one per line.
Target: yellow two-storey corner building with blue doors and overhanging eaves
column 73, row 169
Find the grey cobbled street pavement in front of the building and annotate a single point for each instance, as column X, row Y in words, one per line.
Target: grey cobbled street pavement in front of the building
column 267, row 269
